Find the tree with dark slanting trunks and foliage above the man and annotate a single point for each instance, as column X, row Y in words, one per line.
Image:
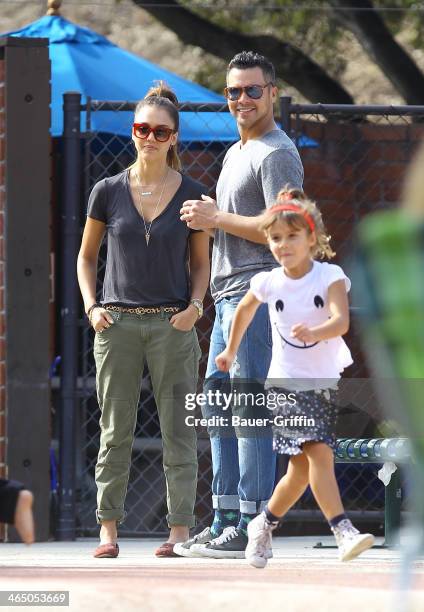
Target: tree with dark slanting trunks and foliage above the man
column 301, row 41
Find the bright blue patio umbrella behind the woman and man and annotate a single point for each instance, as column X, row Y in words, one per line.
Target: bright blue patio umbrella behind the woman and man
column 89, row 63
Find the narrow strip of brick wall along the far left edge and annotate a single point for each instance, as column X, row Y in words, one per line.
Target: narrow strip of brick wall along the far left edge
column 2, row 310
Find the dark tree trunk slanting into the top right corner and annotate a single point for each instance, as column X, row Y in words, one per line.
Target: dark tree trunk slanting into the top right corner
column 378, row 42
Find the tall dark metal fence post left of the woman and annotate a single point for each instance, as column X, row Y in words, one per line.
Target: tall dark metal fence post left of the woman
column 70, row 234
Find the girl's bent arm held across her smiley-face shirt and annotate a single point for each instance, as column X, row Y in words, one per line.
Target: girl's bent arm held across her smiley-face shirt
column 336, row 325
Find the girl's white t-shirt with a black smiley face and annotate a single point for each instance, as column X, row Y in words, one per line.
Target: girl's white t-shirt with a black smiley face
column 303, row 300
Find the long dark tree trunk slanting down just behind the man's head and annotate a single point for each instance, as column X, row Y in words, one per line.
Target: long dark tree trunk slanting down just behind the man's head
column 291, row 64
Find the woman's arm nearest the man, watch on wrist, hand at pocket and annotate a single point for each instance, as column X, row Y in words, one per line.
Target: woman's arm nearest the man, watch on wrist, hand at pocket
column 199, row 280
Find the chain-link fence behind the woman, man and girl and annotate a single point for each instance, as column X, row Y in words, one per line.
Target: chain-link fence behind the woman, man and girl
column 354, row 159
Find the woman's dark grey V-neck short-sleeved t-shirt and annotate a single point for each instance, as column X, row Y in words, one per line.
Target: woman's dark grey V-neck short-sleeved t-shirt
column 137, row 274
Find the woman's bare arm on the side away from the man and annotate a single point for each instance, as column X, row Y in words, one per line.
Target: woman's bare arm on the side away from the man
column 87, row 267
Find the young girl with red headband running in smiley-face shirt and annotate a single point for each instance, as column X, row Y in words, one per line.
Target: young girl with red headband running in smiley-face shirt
column 309, row 313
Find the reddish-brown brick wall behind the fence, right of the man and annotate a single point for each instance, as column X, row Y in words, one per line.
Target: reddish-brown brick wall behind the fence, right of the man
column 356, row 169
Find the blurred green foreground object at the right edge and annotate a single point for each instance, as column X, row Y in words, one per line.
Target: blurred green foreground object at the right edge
column 390, row 280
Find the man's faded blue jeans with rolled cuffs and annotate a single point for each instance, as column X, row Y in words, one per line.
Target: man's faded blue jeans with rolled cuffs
column 243, row 460
